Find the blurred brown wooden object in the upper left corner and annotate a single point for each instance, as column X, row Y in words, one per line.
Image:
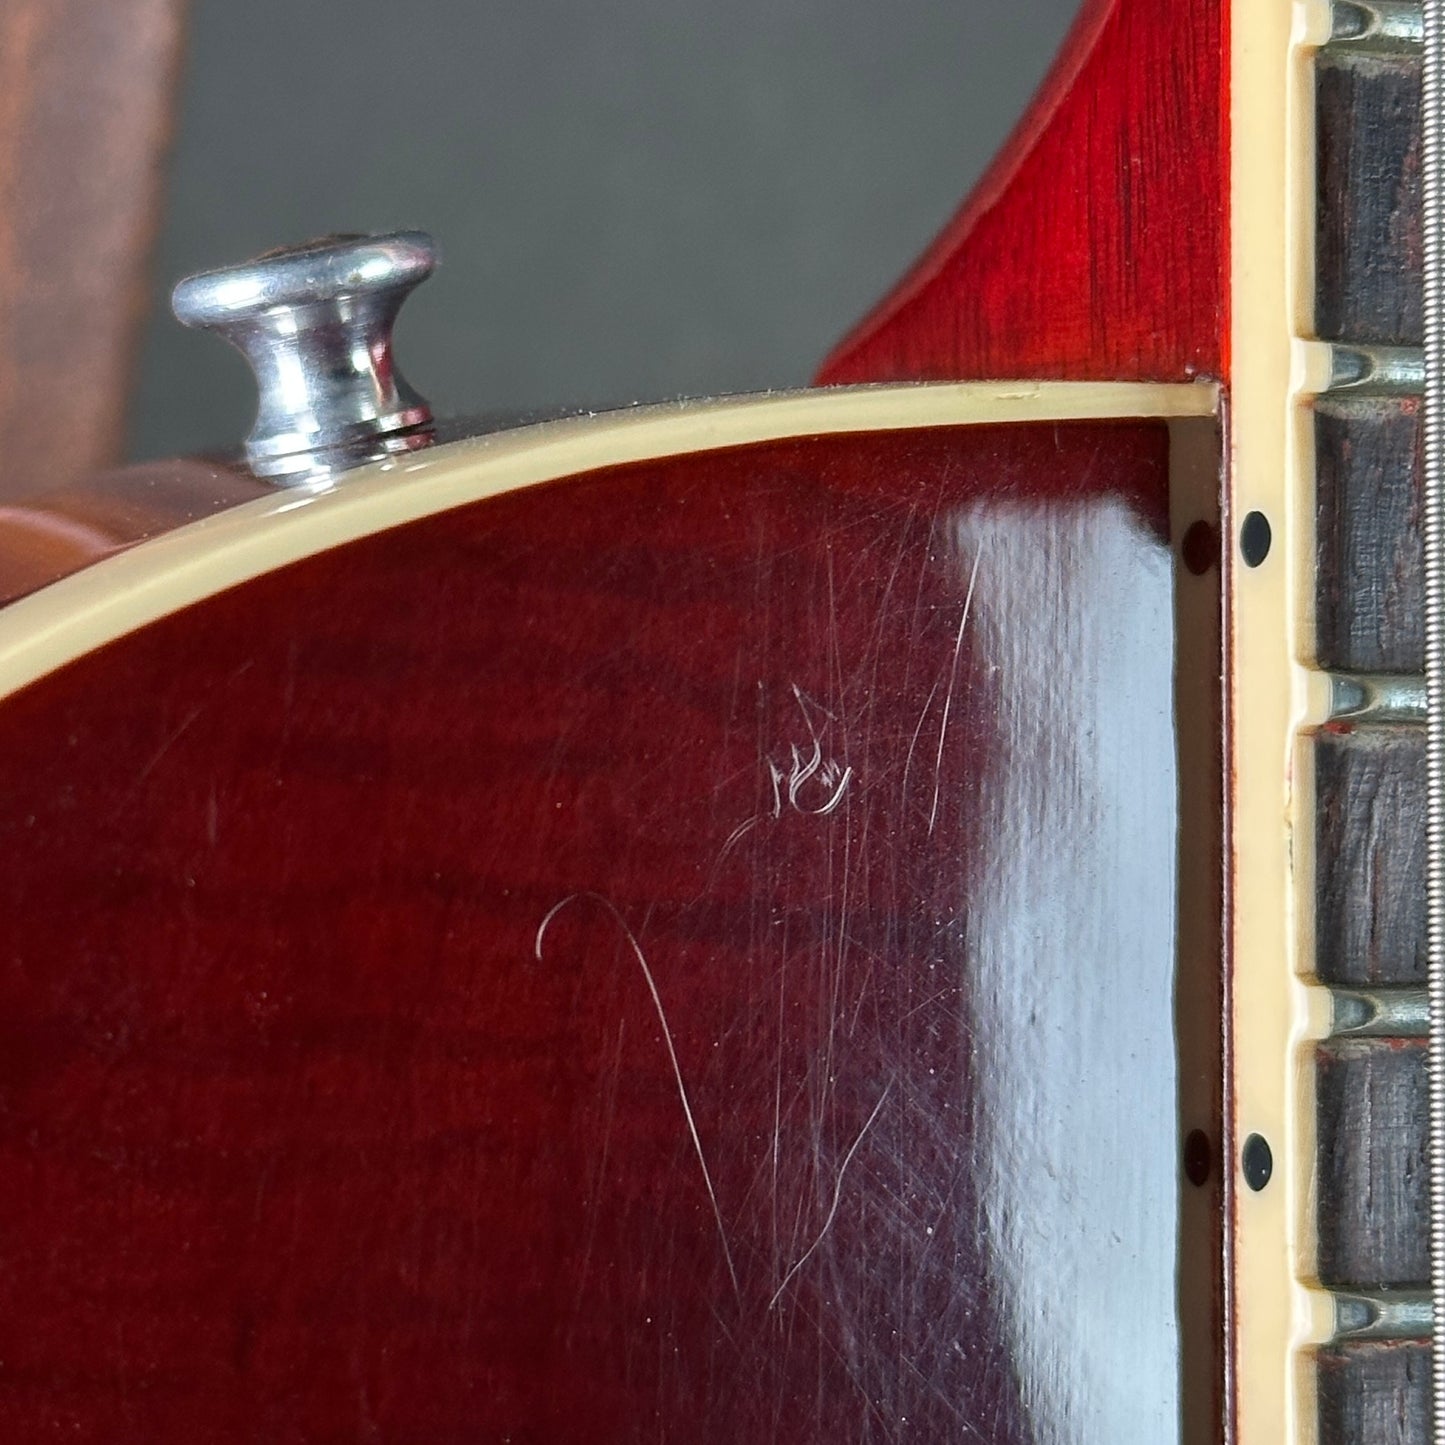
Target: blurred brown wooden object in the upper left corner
column 86, row 108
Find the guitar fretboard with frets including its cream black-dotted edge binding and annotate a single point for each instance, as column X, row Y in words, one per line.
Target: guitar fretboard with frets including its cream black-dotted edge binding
column 1329, row 710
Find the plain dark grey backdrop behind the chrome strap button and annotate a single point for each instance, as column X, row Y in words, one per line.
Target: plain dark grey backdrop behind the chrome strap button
column 635, row 199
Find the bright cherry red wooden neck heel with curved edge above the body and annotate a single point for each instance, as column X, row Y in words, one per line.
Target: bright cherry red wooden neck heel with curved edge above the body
column 1097, row 245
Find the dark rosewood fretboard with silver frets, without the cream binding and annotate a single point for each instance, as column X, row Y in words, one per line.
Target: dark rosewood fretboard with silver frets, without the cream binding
column 1369, row 762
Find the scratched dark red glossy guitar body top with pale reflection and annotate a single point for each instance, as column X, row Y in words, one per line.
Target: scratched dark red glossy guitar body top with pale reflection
column 684, row 954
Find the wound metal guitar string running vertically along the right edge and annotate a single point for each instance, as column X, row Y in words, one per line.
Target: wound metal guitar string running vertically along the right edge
column 1434, row 532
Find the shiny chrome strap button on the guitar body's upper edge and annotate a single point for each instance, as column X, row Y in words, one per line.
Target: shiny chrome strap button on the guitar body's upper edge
column 316, row 324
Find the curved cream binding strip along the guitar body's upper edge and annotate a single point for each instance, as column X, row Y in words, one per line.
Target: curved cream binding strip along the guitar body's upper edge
column 103, row 602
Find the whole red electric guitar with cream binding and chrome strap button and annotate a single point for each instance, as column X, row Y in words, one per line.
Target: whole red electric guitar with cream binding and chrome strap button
column 892, row 911
